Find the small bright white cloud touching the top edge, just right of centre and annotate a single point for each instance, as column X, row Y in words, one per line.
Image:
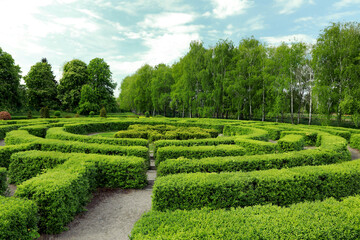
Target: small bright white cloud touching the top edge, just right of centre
column 226, row 8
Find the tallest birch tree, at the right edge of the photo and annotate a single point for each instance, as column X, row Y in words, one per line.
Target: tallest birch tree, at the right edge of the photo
column 336, row 66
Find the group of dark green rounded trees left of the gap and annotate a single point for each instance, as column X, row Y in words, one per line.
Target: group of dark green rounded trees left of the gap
column 82, row 88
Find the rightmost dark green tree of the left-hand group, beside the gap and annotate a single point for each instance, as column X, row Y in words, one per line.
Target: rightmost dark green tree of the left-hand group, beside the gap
column 100, row 78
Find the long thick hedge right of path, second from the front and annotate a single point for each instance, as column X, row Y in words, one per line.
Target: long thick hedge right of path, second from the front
column 281, row 187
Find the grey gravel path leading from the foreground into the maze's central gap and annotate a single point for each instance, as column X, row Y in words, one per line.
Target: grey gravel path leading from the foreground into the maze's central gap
column 111, row 213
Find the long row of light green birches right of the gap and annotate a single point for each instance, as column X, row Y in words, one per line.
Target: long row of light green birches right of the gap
column 255, row 81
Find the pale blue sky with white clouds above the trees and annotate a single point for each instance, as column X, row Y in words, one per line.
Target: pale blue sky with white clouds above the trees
column 128, row 34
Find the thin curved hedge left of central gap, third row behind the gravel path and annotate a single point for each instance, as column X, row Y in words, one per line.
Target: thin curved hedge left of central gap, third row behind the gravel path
column 59, row 133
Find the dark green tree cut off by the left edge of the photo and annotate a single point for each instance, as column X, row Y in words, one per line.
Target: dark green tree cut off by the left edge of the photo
column 9, row 82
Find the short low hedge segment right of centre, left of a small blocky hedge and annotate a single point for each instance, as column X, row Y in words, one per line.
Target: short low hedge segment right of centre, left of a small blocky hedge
column 253, row 147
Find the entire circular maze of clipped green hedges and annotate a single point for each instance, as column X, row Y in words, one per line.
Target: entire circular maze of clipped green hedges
column 217, row 179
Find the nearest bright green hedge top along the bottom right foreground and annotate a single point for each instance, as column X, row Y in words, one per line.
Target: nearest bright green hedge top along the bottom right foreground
column 325, row 220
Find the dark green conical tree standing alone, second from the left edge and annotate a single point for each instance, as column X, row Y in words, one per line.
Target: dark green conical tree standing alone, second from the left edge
column 41, row 86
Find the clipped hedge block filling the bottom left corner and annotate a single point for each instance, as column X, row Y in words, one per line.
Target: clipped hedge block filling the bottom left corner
column 18, row 219
